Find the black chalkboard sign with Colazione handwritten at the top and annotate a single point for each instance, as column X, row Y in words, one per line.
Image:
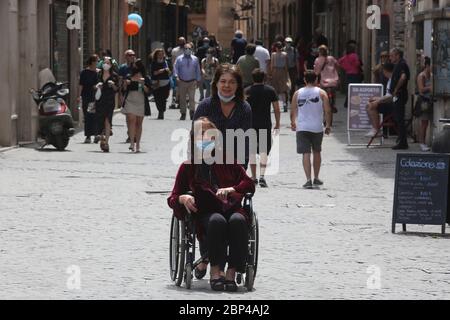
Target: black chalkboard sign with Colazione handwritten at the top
column 421, row 190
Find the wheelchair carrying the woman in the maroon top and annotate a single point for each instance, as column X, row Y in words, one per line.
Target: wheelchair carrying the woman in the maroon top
column 183, row 245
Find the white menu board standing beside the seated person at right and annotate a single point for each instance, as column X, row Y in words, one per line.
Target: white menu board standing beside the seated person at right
column 358, row 99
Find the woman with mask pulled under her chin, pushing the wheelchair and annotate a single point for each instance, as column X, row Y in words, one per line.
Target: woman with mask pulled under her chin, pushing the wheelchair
column 228, row 110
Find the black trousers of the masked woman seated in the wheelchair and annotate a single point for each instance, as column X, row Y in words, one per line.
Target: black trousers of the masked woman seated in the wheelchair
column 223, row 232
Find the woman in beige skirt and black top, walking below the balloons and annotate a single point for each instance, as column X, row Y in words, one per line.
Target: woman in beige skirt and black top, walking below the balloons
column 136, row 104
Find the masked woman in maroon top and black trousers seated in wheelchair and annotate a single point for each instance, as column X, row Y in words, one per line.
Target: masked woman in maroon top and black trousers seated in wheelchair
column 212, row 194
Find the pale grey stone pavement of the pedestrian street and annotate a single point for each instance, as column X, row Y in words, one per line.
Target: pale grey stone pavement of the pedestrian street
column 107, row 215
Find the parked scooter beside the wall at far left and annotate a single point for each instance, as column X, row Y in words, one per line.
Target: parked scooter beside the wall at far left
column 55, row 119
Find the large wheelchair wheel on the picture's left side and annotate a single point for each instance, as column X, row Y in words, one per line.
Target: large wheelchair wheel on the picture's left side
column 177, row 251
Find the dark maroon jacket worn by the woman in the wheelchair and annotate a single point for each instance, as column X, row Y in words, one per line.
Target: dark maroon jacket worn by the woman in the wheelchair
column 206, row 201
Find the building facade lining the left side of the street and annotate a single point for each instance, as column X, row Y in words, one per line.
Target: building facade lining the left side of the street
column 36, row 36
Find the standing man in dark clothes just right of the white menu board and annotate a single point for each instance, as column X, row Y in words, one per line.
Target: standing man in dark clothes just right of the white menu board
column 399, row 89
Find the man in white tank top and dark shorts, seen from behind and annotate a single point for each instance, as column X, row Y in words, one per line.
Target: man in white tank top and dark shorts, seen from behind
column 307, row 119
